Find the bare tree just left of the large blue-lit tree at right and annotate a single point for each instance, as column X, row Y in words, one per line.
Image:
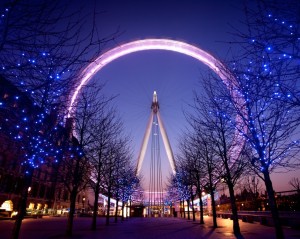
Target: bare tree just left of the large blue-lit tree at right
column 212, row 114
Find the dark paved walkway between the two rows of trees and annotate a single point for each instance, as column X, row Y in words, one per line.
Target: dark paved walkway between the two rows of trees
column 140, row 228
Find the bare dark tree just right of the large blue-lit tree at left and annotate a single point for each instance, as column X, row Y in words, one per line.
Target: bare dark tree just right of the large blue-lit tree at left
column 78, row 169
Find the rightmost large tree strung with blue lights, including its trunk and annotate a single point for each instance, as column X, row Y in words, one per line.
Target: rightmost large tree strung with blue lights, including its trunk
column 267, row 73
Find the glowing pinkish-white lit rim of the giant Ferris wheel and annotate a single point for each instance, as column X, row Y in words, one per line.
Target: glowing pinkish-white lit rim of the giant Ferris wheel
column 169, row 45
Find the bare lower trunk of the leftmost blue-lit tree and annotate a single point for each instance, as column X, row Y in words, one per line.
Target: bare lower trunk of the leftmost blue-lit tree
column 22, row 206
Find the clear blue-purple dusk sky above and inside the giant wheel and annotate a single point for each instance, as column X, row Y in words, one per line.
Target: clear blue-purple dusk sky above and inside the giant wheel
column 134, row 77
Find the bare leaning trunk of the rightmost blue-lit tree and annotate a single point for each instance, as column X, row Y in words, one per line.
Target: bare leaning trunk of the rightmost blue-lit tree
column 273, row 205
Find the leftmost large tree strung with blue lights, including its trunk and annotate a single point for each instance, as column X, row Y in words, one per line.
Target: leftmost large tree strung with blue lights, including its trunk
column 43, row 47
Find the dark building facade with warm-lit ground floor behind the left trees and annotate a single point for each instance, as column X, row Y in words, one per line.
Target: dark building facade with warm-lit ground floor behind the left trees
column 46, row 193
